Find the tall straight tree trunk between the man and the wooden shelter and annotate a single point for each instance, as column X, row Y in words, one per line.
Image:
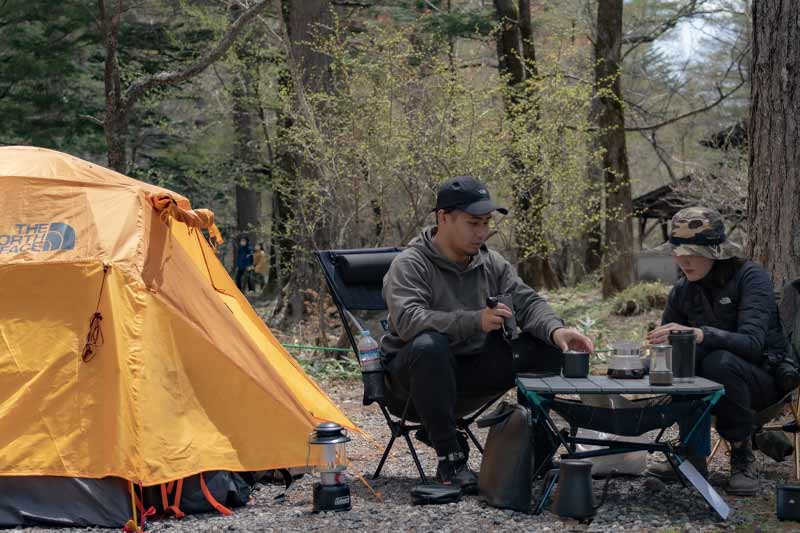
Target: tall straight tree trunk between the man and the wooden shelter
column 619, row 270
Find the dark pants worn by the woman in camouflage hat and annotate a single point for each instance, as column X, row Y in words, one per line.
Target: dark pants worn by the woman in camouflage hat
column 748, row 389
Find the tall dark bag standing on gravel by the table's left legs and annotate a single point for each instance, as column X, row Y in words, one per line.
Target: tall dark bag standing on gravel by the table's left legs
column 506, row 474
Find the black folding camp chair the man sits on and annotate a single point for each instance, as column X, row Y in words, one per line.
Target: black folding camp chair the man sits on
column 355, row 281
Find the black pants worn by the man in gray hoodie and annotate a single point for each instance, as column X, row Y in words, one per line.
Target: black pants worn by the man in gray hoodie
column 438, row 381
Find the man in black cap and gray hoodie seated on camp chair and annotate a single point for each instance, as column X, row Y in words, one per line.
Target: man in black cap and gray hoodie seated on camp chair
column 443, row 346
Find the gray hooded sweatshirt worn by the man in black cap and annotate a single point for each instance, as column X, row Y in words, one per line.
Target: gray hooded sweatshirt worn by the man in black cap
column 426, row 291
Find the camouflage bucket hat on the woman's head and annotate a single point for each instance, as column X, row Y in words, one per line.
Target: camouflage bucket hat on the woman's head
column 700, row 231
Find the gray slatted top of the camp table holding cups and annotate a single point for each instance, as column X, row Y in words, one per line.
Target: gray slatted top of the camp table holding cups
column 606, row 385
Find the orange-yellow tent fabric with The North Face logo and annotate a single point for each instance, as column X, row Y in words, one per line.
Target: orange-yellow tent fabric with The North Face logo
column 187, row 379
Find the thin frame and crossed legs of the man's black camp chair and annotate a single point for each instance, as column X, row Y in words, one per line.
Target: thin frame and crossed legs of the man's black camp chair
column 400, row 427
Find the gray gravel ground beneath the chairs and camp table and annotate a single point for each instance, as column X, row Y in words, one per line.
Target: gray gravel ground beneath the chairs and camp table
column 633, row 504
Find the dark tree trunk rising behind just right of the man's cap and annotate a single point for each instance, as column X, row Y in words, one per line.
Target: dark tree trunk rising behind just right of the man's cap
column 516, row 56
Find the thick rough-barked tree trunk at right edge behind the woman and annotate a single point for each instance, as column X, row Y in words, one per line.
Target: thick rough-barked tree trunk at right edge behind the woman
column 773, row 212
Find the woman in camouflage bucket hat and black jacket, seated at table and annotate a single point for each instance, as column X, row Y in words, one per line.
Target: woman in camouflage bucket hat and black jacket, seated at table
column 729, row 304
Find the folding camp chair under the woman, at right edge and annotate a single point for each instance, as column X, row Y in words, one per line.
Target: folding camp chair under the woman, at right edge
column 789, row 303
